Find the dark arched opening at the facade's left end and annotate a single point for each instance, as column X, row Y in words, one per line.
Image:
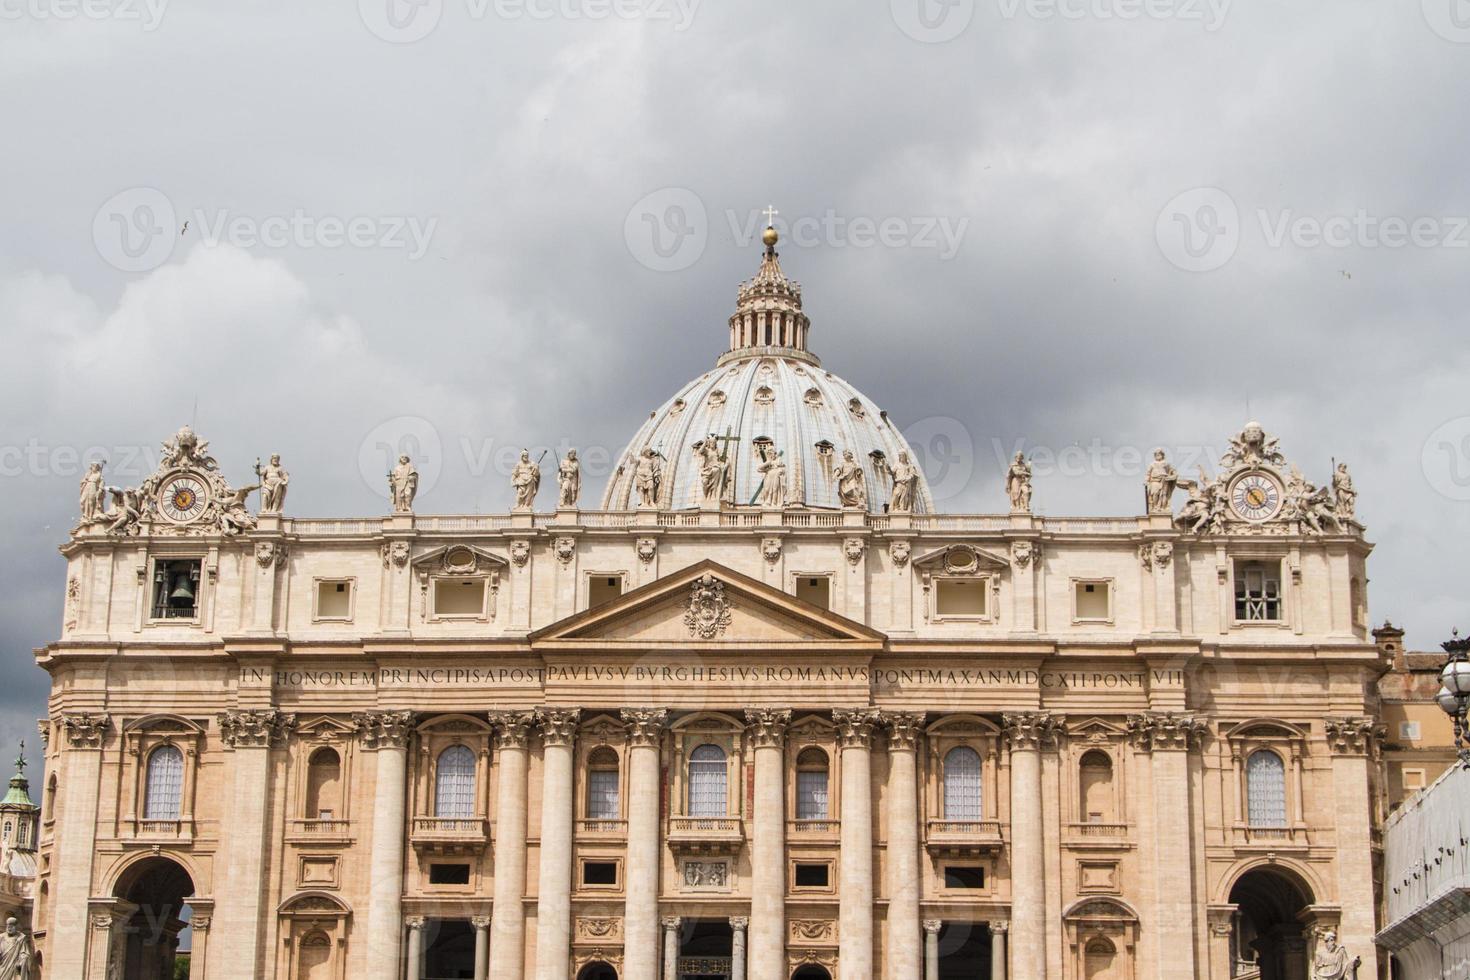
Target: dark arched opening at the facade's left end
column 158, row 888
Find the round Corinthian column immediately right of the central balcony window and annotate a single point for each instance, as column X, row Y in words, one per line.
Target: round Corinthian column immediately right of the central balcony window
column 768, row 847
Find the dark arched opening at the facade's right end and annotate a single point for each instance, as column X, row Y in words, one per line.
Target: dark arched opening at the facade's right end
column 1268, row 937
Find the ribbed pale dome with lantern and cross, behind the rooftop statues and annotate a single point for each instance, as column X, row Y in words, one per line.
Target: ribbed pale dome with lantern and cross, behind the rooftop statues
column 768, row 394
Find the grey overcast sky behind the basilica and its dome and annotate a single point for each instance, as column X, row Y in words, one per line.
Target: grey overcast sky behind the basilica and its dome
column 1077, row 227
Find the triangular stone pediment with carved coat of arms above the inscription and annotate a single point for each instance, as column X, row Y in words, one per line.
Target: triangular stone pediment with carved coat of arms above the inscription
column 708, row 605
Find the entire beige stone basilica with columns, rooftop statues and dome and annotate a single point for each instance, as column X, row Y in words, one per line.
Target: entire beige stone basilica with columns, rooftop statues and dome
column 762, row 715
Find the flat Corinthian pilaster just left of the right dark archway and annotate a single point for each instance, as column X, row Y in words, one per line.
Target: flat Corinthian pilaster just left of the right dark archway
column 1168, row 738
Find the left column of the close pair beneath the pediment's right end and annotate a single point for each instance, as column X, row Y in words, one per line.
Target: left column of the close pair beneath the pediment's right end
column 856, row 901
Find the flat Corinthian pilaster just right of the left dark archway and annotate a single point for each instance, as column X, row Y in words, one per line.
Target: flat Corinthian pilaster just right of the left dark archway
column 240, row 909
